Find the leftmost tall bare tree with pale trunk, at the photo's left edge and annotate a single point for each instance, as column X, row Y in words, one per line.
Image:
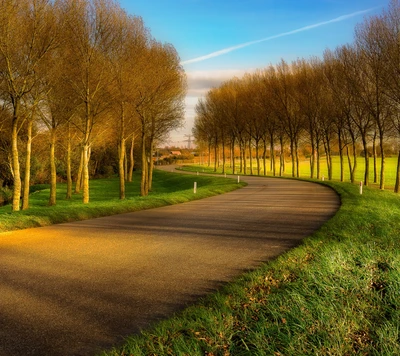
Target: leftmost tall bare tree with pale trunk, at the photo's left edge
column 26, row 37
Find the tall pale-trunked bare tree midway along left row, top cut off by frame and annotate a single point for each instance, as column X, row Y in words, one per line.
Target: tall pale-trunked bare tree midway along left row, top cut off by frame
column 88, row 33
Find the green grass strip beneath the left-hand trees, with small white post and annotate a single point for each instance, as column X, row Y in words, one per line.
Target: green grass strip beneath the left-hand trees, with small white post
column 168, row 188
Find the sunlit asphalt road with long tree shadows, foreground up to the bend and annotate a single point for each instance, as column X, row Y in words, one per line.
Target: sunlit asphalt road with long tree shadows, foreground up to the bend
column 77, row 288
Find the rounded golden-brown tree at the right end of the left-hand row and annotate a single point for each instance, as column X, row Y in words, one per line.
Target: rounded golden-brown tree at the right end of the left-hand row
column 159, row 94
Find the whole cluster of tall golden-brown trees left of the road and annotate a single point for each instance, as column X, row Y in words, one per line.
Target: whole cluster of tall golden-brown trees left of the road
column 80, row 71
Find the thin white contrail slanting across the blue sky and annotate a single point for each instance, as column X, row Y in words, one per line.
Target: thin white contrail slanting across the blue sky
column 302, row 29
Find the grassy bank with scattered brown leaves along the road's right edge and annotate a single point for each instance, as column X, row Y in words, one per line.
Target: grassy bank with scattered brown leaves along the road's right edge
column 336, row 294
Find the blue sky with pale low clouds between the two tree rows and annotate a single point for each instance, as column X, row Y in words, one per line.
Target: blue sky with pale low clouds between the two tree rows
column 243, row 35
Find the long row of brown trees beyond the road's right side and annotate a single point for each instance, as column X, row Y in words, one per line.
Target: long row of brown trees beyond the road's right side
column 346, row 102
